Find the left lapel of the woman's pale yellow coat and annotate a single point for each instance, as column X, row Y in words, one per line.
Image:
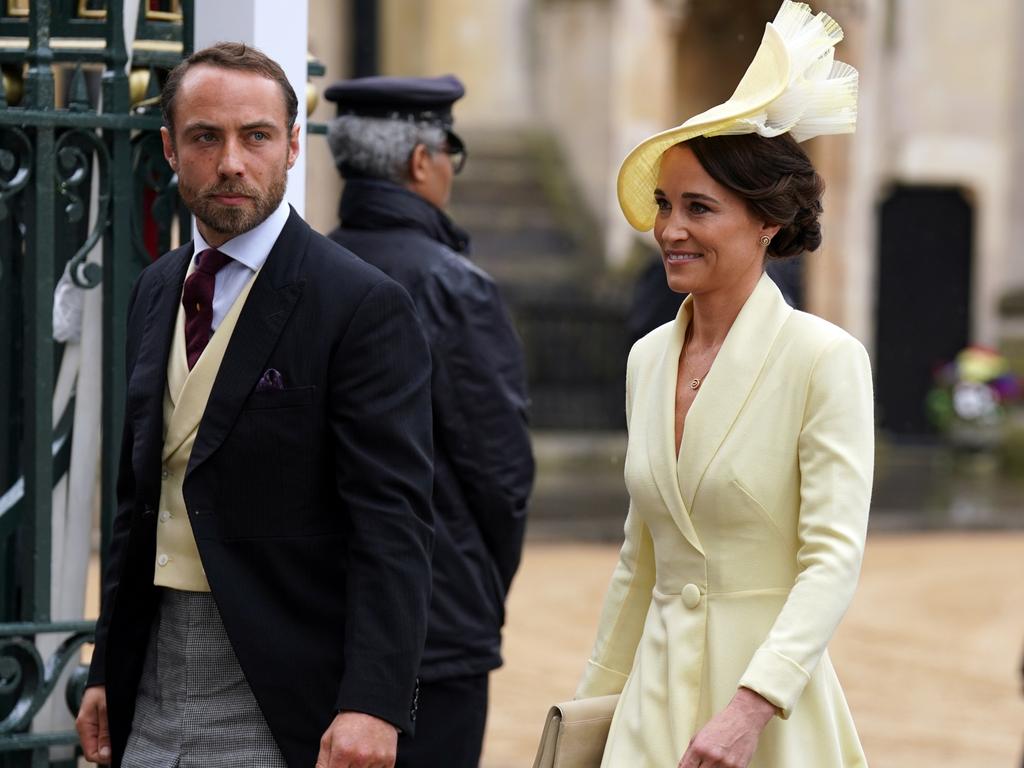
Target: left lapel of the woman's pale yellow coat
column 662, row 429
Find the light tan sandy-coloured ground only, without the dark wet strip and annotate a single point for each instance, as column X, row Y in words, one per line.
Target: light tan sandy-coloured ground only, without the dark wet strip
column 929, row 654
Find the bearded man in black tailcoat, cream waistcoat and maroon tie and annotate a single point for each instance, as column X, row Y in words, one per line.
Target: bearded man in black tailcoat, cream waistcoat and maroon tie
column 266, row 600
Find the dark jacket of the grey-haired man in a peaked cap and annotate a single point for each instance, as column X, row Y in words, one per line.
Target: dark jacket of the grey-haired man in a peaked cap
column 484, row 466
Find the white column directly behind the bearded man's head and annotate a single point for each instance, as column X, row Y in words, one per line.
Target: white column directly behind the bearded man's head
column 281, row 31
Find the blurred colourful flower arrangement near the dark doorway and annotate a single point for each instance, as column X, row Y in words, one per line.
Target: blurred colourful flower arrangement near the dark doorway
column 971, row 396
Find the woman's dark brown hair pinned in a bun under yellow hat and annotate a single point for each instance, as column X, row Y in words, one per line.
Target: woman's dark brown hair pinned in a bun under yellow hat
column 778, row 181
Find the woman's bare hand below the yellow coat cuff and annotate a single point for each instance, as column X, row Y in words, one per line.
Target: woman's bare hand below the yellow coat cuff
column 730, row 739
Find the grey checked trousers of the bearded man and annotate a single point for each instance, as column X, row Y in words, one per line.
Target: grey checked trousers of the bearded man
column 194, row 708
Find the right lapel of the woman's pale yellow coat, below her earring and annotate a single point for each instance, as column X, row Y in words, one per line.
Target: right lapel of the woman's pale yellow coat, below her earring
column 730, row 383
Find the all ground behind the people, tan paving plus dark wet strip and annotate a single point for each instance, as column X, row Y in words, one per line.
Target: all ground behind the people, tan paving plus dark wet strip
column 929, row 653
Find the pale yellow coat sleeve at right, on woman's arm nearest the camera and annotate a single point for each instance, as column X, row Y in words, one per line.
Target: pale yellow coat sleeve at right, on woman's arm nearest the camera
column 836, row 455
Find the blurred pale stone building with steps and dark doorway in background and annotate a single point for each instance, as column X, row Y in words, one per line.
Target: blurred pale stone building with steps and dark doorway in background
column 925, row 204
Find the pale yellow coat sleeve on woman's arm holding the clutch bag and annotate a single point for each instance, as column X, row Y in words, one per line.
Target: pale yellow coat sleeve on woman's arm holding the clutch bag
column 626, row 604
